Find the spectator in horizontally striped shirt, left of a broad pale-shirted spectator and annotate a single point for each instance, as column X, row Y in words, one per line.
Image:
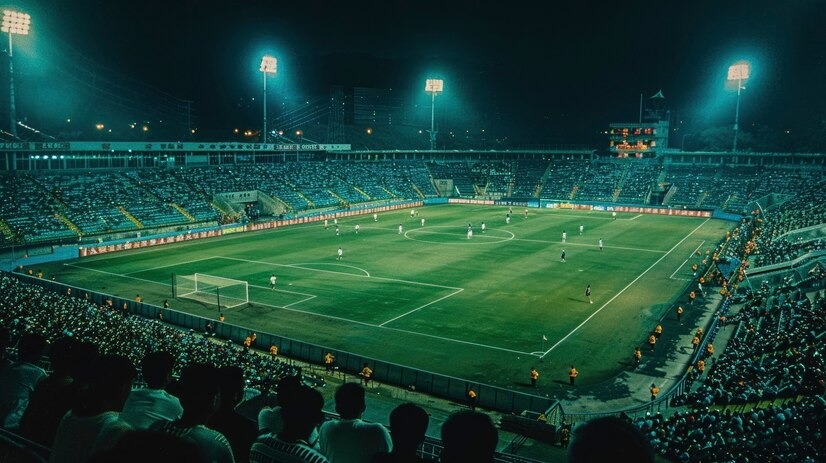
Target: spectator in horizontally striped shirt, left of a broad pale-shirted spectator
column 301, row 414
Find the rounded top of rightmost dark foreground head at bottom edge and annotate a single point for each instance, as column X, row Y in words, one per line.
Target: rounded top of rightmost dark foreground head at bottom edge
column 607, row 439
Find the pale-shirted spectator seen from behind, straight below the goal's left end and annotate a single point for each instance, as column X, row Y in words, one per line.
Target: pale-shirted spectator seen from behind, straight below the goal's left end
column 152, row 403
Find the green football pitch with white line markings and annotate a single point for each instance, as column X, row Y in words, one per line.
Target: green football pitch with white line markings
column 485, row 308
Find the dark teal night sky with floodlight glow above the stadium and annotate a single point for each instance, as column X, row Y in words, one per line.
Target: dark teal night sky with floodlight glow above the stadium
column 552, row 71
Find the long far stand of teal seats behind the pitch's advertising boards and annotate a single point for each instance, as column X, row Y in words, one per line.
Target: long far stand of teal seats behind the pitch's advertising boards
column 59, row 206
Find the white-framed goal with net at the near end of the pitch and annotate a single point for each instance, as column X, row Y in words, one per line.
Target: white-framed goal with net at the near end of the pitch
column 209, row 289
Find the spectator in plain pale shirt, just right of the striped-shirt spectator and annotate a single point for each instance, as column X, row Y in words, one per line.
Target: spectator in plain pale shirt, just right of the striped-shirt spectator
column 349, row 439
